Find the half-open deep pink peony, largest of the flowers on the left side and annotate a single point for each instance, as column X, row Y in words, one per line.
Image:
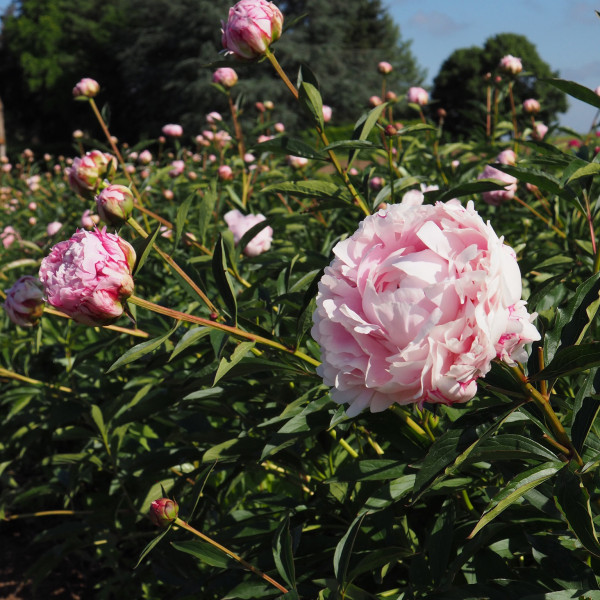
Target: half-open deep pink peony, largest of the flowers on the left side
column 89, row 276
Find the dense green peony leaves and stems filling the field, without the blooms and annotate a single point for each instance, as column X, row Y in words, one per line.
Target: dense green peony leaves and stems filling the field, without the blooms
column 219, row 404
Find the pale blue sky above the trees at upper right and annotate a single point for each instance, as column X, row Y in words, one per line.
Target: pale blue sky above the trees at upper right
column 566, row 34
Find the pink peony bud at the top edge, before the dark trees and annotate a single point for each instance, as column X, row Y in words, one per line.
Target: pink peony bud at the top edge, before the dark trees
column 252, row 26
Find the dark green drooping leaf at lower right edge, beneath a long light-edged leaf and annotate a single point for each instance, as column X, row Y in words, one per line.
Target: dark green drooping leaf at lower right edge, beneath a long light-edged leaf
column 573, row 501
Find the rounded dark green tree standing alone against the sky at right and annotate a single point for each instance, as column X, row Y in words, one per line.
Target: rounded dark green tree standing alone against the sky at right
column 460, row 87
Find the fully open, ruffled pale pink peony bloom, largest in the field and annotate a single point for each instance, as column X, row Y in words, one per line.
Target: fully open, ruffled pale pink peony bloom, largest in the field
column 415, row 306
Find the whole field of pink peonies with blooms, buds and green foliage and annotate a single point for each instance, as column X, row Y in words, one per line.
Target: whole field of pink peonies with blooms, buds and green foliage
column 358, row 361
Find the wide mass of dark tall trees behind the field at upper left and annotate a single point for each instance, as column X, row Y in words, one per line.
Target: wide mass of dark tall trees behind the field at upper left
column 150, row 58
